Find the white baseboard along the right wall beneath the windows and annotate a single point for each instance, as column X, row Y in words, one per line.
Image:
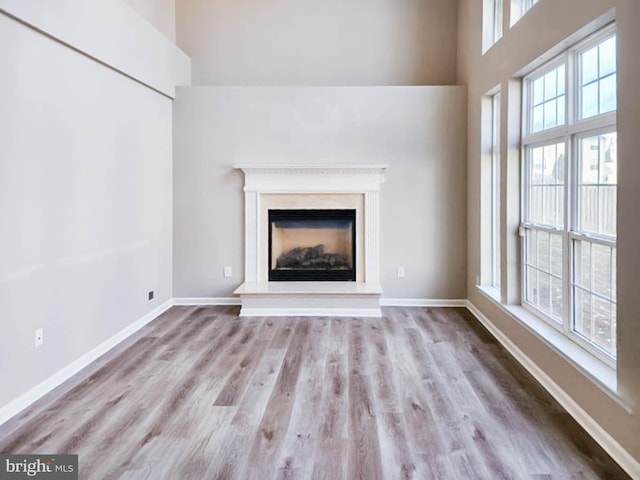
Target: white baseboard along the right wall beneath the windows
column 599, row 434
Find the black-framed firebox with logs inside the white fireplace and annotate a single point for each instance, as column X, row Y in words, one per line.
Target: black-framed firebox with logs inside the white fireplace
column 312, row 245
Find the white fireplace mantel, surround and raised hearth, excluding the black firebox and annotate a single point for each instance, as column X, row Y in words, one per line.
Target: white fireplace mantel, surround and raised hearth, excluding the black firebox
column 311, row 186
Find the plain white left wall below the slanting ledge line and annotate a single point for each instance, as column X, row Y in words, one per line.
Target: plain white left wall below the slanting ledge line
column 85, row 200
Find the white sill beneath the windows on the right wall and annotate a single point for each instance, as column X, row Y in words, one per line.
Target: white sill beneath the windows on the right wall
column 596, row 370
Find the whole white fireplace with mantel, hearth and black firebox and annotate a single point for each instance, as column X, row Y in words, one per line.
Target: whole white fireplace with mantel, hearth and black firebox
column 312, row 238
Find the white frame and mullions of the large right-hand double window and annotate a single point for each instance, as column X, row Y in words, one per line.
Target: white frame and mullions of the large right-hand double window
column 569, row 134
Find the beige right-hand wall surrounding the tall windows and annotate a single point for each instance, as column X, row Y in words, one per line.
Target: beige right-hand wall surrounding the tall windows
column 550, row 27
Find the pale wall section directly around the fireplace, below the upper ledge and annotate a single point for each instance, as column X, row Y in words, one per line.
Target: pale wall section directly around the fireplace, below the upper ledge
column 417, row 131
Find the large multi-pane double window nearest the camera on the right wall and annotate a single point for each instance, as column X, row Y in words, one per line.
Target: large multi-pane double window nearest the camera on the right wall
column 569, row 194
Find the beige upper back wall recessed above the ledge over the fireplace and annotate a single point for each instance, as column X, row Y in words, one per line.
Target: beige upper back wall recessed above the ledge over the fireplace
column 331, row 42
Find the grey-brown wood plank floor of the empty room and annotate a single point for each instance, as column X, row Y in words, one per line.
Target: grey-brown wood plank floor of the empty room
column 200, row 393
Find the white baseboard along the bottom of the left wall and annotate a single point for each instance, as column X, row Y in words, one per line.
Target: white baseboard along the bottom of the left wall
column 23, row 401
